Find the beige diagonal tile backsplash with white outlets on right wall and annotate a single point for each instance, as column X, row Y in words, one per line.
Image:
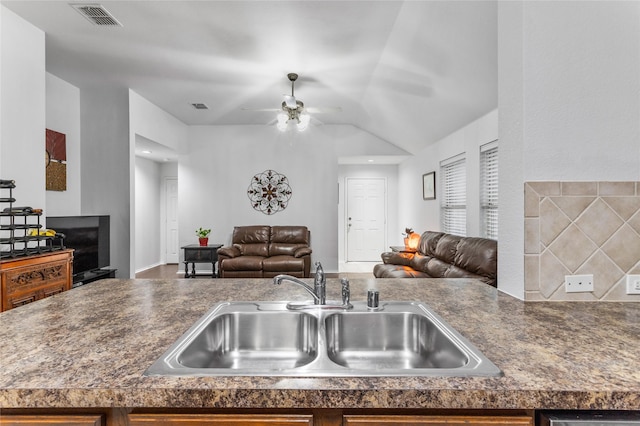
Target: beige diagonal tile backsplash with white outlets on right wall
column 581, row 228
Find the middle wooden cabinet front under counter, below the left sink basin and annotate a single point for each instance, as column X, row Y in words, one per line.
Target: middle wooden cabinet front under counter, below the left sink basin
column 220, row 419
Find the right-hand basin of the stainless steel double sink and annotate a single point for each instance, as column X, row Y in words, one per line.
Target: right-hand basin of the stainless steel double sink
column 390, row 340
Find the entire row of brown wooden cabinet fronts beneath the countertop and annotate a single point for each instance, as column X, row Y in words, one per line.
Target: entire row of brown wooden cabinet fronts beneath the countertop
column 317, row 417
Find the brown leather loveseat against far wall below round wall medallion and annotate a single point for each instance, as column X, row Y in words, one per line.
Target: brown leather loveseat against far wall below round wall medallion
column 266, row 251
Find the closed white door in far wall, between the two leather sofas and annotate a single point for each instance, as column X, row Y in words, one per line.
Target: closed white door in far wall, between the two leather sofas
column 366, row 219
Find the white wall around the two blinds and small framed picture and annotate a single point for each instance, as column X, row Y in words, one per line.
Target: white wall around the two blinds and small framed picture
column 424, row 215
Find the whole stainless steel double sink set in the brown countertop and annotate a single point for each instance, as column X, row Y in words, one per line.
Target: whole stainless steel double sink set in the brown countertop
column 266, row 339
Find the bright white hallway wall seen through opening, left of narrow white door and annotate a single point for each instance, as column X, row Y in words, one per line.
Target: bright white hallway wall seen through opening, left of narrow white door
column 148, row 250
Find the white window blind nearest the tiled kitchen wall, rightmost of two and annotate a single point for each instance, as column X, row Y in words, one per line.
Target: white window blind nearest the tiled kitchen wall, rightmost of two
column 489, row 190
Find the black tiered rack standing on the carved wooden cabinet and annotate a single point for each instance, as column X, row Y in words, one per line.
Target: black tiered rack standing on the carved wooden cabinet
column 16, row 225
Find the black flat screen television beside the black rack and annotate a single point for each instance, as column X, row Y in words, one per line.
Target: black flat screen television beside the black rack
column 88, row 236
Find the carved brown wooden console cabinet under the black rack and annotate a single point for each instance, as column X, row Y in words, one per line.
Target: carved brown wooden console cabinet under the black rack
column 27, row 279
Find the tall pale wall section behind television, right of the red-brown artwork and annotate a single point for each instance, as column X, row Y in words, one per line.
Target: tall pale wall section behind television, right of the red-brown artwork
column 107, row 167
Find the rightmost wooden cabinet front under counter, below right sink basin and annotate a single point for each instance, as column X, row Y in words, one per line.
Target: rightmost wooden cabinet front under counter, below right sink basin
column 449, row 420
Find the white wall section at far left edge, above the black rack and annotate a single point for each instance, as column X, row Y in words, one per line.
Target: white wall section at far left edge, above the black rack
column 22, row 120
